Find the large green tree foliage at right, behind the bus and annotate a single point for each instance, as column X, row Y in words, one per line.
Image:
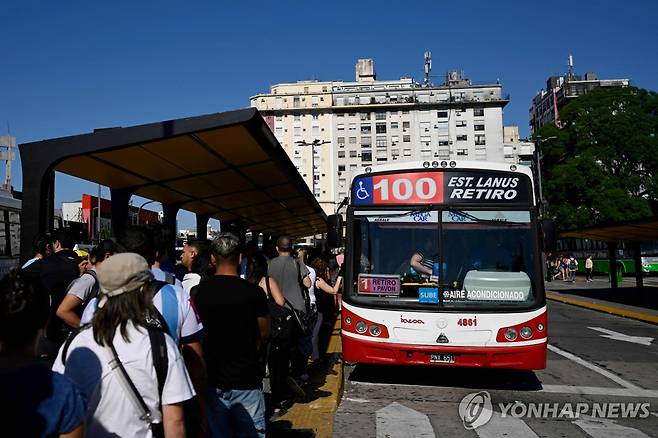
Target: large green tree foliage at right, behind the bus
column 602, row 166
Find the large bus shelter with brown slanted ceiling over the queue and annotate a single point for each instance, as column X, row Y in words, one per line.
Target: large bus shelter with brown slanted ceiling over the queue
column 227, row 166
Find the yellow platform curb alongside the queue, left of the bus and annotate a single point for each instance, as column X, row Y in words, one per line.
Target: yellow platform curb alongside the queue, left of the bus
column 317, row 416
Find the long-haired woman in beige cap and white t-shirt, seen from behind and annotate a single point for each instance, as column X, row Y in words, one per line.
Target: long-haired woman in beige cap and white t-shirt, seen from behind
column 120, row 323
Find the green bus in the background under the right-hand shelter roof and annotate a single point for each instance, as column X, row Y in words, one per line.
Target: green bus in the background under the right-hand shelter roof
column 581, row 248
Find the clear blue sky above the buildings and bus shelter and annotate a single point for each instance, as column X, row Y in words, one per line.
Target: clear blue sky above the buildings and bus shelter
column 71, row 66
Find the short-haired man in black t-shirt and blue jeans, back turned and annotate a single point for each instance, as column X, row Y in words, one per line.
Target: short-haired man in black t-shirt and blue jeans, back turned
column 234, row 314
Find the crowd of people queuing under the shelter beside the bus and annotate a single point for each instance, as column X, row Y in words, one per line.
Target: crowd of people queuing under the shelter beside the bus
column 127, row 342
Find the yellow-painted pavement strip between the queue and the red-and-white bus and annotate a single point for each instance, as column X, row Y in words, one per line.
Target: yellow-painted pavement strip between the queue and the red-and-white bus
column 314, row 417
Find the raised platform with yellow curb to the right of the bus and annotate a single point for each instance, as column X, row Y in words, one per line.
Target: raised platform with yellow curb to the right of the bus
column 627, row 301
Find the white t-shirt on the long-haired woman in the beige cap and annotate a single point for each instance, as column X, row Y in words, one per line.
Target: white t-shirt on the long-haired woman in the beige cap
column 110, row 412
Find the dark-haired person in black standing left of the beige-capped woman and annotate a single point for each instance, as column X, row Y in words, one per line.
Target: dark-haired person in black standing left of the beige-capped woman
column 54, row 274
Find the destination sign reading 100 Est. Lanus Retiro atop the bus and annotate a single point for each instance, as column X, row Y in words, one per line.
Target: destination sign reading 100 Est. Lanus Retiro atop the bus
column 438, row 187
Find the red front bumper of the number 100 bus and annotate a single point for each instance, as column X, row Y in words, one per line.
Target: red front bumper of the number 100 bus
column 524, row 357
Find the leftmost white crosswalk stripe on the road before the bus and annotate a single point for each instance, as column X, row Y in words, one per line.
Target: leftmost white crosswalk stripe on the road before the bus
column 399, row 421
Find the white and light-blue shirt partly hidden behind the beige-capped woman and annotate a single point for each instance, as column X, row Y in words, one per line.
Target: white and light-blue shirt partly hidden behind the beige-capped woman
column 188, row 326
